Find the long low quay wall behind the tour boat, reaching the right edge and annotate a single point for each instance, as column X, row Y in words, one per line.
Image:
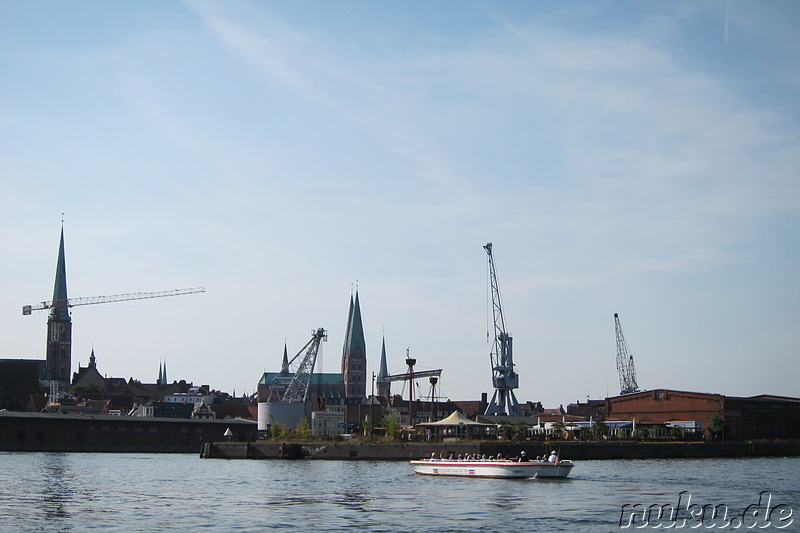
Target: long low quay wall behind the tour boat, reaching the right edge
column 568, row 450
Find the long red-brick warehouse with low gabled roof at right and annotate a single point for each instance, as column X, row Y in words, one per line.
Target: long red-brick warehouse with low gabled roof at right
column 757, row 417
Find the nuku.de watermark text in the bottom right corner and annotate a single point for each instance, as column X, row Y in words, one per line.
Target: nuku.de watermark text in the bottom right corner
column 766, row 513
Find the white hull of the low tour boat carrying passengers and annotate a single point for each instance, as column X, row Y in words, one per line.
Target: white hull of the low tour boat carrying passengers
column 492, row 469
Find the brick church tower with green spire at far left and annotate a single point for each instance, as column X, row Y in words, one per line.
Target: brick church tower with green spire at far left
column 59, row 325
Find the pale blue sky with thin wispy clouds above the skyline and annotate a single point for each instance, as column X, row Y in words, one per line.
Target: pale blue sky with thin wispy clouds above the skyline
column 640, row 158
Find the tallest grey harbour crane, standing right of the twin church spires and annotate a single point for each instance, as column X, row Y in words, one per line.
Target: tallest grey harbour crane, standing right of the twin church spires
column 504, row 379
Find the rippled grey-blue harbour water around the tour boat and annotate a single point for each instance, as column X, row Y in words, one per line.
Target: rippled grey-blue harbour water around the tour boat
column 44, row 492
